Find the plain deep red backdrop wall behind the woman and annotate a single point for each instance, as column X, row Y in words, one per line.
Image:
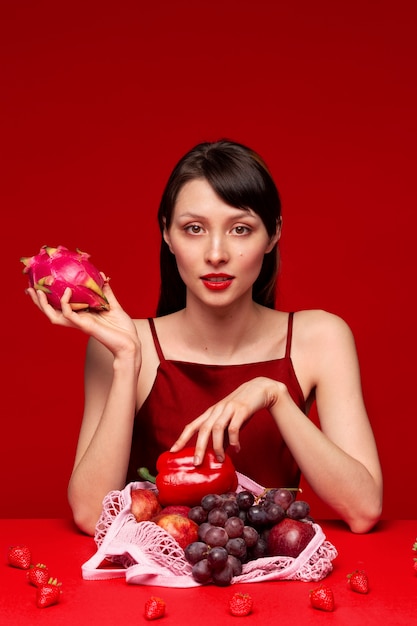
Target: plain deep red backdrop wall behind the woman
column 99, row 100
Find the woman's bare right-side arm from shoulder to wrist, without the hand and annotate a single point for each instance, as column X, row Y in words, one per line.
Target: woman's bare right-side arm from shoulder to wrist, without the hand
column 339, row 460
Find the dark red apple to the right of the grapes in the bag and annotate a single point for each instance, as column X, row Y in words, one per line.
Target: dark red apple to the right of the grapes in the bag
column 289, row 537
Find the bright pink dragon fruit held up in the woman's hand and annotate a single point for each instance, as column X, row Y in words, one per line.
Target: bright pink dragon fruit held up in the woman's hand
column 54, row 269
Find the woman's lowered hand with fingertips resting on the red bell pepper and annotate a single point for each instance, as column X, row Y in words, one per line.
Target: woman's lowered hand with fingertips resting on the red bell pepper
column 229, row 415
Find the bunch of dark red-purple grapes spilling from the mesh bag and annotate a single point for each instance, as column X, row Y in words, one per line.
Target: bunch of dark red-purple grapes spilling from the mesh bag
column 234, row 529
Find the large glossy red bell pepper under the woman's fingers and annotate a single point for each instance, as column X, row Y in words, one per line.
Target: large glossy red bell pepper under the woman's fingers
column 179, row 481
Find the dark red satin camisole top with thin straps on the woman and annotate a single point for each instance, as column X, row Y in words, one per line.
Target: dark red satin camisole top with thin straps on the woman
column 182, row 391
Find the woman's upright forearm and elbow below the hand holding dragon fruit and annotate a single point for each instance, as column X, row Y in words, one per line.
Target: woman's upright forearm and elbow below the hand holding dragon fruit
column 105, row 438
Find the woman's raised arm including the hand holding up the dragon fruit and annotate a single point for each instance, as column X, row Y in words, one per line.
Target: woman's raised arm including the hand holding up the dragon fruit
column 112, row 368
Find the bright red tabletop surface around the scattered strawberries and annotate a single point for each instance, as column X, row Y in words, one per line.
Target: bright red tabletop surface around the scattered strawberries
column 386, row 554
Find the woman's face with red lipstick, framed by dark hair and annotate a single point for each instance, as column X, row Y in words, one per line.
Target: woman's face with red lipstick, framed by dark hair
column 219, row 249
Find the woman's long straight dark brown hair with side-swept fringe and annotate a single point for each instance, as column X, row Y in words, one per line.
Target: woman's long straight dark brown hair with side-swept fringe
column 241, row 179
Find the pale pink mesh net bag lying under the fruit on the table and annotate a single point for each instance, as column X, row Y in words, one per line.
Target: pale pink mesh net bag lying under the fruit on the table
column 145, row 554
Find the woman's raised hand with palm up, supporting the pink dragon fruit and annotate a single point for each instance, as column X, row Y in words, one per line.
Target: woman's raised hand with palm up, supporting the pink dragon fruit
column 113, row 328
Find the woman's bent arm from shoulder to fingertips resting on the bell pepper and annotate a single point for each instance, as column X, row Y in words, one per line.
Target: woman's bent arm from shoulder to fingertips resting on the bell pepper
column 339, row 459
